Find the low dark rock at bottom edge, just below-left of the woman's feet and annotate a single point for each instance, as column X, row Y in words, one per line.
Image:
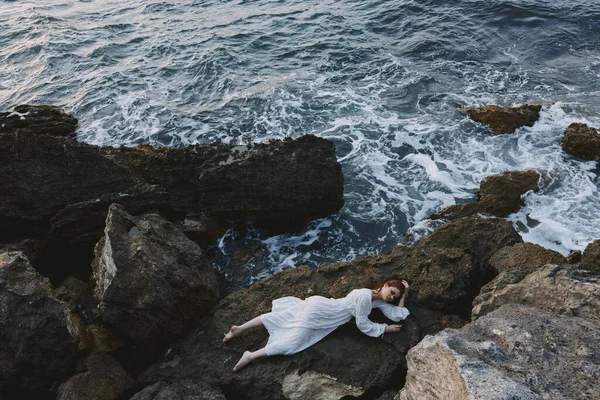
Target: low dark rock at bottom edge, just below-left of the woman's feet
column 186, row 389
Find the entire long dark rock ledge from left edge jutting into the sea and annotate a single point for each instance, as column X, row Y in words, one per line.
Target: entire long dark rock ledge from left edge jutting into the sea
column 57, row 190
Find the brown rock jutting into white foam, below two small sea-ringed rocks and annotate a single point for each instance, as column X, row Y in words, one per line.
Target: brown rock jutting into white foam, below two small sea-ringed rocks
column 498, row 195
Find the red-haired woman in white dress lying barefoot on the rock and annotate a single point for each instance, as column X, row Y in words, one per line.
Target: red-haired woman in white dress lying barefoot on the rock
column 295, row 324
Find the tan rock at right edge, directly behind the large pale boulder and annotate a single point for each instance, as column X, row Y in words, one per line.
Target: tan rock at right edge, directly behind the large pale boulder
column 562, row 290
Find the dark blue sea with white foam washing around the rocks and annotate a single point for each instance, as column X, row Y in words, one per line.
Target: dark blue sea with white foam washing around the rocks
column 382, row 79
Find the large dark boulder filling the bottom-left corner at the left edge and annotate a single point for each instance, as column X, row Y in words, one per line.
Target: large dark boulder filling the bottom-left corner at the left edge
column 36, row 346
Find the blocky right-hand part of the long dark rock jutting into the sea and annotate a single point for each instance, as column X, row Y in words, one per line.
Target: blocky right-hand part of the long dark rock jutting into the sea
column 278, row 185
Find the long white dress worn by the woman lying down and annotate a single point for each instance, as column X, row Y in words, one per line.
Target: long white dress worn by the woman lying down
column 296, row 324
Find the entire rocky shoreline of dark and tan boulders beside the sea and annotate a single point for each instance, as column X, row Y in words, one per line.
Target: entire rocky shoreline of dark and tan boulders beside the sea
column 106, row 292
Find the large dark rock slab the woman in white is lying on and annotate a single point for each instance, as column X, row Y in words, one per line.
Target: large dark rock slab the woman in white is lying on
column 441, row 276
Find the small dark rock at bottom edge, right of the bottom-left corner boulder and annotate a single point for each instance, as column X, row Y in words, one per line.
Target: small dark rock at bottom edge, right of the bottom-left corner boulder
column 99, row 377
